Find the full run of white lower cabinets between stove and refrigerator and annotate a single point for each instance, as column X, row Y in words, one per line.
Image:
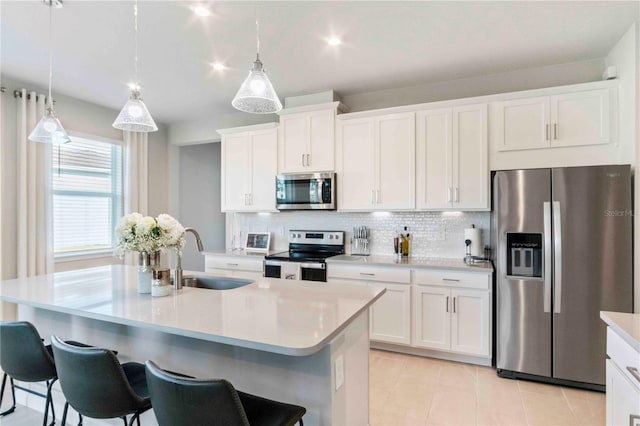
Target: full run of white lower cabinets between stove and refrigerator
column 447, row 311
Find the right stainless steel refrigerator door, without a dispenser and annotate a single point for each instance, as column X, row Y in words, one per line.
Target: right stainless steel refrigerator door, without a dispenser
column 593, row 265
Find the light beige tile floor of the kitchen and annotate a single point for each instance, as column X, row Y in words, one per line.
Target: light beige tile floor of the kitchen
column 410, row 390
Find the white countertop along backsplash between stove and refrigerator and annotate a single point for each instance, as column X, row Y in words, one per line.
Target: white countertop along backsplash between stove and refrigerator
column 413, row 262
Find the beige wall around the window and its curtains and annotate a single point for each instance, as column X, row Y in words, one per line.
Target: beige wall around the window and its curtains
column 81, row 117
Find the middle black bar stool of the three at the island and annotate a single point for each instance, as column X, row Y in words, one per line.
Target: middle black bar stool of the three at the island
column 96, row 385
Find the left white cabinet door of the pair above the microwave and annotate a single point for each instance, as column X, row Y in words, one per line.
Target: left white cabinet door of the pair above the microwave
column 293, row 144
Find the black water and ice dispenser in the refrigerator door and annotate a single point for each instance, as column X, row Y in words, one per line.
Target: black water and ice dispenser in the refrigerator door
column 524, row 255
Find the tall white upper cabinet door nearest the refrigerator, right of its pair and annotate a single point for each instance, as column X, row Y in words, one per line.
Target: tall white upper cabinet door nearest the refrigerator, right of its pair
column 470, row 161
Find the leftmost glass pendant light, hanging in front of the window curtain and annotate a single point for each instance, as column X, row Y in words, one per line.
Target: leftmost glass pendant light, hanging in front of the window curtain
column 49, row 129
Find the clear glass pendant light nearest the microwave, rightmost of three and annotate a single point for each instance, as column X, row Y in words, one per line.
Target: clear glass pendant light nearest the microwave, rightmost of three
column 256, row 95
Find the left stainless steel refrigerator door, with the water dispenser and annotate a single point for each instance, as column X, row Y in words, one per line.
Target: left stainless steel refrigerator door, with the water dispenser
column 523, row 331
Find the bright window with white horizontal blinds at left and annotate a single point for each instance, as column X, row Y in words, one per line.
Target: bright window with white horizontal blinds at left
column 87, row 195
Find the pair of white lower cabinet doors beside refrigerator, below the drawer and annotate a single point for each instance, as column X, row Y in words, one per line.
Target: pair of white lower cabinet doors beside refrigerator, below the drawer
column 455, row 320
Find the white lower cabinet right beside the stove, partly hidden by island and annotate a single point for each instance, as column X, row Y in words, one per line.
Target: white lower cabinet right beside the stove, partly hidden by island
column 389, row 316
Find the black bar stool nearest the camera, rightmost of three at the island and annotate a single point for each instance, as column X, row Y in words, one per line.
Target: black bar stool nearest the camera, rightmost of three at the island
column 179, row 400
